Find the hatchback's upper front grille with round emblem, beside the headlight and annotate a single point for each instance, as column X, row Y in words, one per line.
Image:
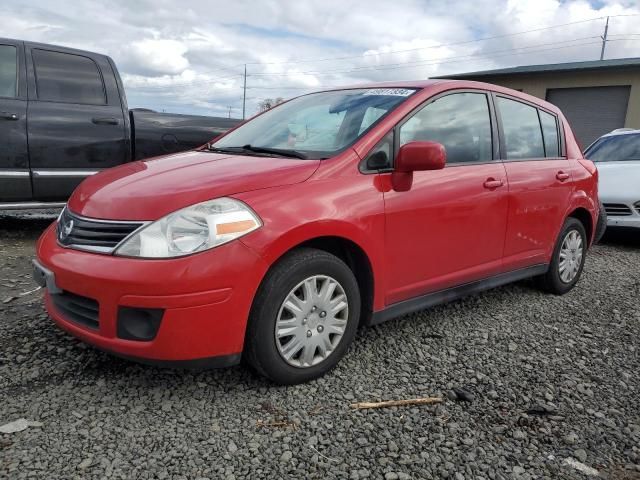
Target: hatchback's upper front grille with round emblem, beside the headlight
column 94, row 235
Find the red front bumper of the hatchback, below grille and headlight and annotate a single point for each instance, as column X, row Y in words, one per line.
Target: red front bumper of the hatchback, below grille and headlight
column 205, row 299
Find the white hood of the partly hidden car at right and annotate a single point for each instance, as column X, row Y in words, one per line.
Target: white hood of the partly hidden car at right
column 619, row 181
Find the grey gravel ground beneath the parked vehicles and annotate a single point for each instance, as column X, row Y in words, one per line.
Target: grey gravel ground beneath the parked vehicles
column 572, row 362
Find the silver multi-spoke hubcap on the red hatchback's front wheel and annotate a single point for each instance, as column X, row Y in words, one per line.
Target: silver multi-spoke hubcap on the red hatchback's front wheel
column 311, row 321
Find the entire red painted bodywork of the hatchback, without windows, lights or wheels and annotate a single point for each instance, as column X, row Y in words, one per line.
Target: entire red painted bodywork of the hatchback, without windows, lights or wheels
column 420, row 231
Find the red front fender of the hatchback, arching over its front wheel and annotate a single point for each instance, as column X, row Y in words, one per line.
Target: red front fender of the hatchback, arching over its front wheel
column 350, row 208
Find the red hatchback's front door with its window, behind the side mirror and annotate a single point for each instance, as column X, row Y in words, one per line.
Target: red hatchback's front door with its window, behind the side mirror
column 448, row 227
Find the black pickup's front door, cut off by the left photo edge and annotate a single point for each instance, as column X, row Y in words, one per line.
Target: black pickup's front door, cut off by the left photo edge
column 15, row 184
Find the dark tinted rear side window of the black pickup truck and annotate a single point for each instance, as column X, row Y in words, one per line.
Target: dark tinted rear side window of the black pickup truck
column 63, row 77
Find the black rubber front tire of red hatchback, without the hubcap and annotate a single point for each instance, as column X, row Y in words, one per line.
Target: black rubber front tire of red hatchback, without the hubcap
column 260, row 350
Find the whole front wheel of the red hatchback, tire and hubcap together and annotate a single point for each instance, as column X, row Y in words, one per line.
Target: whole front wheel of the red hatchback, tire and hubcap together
column 304, row 317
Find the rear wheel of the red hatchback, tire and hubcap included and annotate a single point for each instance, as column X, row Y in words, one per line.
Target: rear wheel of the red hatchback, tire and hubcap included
column 568, row 259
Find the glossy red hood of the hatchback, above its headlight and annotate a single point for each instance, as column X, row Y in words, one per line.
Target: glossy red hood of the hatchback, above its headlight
column 151, row 189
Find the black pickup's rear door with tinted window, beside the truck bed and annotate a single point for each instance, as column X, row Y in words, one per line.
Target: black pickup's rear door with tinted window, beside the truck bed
column 76, row 119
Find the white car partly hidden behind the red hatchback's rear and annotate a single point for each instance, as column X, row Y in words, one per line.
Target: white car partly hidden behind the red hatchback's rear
column 617, row 156
